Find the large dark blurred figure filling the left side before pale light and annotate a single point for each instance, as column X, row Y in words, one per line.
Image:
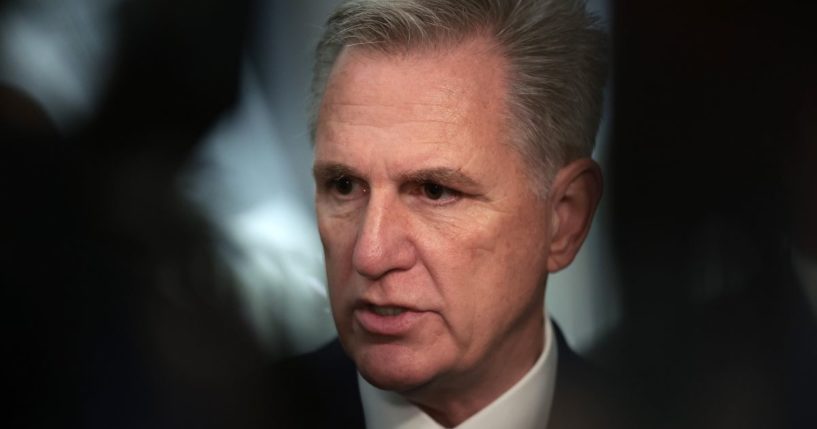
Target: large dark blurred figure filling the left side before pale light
column 120, row 314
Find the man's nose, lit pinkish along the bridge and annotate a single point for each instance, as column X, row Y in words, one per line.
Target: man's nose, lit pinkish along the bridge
column 383, row 243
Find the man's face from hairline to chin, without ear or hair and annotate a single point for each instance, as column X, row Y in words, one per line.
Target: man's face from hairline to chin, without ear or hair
column 435, row 242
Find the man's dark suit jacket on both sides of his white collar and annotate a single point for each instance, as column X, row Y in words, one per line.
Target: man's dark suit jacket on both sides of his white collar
column 319, row 390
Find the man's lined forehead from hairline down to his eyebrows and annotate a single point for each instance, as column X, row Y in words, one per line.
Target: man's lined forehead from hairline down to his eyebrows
column 425, row 94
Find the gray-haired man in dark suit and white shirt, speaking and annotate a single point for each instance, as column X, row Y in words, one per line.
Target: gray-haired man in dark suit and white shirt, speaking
column 453, row 174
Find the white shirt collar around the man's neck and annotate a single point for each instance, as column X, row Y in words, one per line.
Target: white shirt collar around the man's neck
column 525, row 405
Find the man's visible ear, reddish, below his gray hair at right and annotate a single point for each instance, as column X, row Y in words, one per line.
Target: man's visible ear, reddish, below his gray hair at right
column 574, row 196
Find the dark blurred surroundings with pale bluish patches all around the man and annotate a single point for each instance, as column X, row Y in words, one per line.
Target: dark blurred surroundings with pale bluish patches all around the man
column 161, row 250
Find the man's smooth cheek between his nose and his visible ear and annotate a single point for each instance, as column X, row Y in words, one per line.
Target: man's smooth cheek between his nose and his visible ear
column 492, row 270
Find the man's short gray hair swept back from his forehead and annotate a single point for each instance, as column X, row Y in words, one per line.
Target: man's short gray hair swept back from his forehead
column 554, row 48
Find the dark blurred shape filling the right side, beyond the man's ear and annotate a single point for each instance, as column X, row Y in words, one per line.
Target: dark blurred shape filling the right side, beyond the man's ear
column 713, row 187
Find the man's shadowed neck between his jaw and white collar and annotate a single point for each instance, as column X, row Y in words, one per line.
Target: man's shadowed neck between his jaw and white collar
column 451, row 402
